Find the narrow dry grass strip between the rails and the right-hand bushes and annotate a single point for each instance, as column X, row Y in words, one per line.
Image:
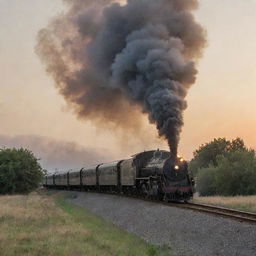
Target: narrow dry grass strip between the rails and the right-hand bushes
column 243, row 203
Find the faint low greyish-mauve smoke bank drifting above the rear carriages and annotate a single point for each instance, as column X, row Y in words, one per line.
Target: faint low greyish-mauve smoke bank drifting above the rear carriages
column 56, row 155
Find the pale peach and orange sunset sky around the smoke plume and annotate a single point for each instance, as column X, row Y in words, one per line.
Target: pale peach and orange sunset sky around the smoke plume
column 222, row 102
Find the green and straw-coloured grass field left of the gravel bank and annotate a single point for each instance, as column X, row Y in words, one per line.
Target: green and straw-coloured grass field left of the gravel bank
column 46, row 225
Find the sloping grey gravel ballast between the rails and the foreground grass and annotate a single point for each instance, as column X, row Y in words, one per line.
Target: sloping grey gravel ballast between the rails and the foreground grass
column 186, row 232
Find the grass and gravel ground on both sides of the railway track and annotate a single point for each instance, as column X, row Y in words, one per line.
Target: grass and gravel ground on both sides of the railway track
column 67, row 224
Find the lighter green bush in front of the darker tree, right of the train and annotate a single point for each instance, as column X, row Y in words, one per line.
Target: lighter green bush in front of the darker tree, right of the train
column 234, row 174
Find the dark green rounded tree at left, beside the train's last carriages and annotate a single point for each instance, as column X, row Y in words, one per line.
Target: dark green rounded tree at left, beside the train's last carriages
column 20, row 171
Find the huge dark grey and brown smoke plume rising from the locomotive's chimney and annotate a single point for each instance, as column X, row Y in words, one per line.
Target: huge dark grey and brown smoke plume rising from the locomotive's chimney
column 111, row 60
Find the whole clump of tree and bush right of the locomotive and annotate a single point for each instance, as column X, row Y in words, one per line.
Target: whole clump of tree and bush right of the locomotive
column 224, row 167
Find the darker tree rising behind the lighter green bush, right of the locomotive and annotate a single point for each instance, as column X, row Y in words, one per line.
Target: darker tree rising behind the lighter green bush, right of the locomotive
column 208, row 153
